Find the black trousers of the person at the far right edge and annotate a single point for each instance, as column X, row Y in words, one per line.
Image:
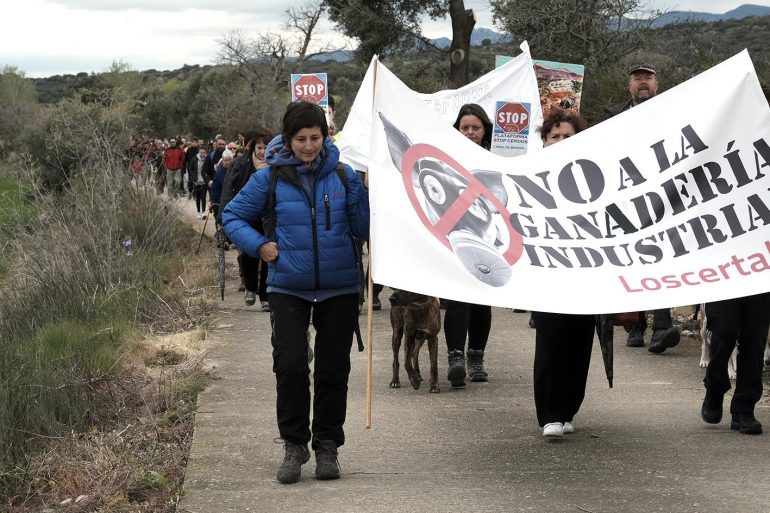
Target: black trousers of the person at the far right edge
column 743, row 321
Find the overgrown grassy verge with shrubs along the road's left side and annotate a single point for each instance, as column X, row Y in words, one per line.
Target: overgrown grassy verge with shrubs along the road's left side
column 90, row 411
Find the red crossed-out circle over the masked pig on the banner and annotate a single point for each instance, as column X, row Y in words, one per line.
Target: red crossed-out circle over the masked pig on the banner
column 456, row 210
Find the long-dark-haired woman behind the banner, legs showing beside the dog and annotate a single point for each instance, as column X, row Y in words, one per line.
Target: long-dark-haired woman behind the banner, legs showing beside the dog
column 465, row 320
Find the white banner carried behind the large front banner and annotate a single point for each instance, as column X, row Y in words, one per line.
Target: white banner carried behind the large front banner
column 514, row 81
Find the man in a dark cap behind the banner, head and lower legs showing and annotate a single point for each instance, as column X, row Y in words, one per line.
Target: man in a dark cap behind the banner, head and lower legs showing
column 643, row 85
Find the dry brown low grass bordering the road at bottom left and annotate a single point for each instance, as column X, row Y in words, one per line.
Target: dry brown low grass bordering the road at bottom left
column 135, row 464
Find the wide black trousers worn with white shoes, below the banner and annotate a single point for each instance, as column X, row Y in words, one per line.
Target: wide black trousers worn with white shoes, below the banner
column 562, row 355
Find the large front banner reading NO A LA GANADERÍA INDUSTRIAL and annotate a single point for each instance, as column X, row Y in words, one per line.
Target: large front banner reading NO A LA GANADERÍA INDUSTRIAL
column 665, row 204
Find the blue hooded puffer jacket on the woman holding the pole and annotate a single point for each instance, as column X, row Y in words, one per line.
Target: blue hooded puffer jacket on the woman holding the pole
column 315, row 252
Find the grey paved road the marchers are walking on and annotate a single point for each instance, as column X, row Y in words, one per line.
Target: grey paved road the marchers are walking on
column 639, row 447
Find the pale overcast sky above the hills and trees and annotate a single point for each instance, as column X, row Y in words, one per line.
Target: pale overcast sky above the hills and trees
column 49, row 37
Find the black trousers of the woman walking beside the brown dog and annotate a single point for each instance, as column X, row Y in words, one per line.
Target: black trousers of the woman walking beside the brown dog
column 463, row 320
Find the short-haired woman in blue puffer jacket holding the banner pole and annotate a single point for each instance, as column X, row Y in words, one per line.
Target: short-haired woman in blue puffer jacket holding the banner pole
column 313, row 272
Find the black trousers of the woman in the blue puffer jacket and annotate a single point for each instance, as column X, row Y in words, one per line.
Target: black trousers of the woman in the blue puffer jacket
column 334, row 320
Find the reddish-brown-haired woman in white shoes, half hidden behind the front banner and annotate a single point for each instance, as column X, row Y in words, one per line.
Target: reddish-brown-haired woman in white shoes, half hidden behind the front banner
column 563, row 342
